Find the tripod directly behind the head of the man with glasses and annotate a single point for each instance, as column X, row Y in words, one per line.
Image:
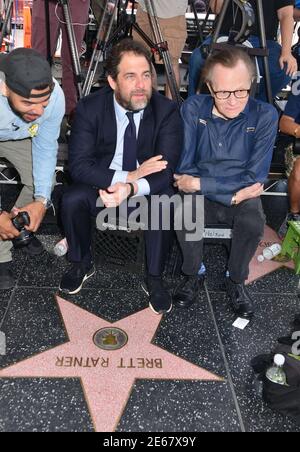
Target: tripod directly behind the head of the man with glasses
column 260, row 52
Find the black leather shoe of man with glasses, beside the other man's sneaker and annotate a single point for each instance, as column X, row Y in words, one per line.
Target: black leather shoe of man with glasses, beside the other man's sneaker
column 187, row 292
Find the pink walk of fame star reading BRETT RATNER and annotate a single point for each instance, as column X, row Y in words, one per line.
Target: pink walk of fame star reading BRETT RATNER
column 107, row 377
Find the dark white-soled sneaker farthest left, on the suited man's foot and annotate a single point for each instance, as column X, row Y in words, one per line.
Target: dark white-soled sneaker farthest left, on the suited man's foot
column 73, row 280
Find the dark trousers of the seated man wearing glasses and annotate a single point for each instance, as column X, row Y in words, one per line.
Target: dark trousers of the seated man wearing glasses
column 247, row 220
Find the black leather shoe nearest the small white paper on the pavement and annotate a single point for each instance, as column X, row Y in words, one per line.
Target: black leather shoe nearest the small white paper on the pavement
column 240, row 298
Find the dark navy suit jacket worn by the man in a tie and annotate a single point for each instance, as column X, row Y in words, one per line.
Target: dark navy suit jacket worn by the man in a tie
column 94, row 135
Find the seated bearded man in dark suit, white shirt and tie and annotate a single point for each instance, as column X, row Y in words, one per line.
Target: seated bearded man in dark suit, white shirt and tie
column 126, row 141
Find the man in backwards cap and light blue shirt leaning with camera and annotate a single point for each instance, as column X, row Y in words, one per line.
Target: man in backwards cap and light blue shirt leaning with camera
column 32, row 106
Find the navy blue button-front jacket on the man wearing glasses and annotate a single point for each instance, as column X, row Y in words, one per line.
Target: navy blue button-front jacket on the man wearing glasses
column 227, row 155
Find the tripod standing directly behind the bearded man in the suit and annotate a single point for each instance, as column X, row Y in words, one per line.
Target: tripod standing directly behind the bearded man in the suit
column 126, row 24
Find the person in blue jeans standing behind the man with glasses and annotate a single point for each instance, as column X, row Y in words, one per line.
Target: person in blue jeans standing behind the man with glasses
column 281, row 62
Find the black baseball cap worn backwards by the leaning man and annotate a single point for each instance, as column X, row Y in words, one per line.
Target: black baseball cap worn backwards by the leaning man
column 25, row 70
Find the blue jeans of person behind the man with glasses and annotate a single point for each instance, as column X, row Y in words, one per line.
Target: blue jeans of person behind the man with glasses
column 279, row 78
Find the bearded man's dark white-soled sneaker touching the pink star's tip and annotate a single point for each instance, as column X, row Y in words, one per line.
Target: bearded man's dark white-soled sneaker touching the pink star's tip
column 160, row 299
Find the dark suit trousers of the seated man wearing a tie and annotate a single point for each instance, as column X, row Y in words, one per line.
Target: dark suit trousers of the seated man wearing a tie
column 78, row 210
